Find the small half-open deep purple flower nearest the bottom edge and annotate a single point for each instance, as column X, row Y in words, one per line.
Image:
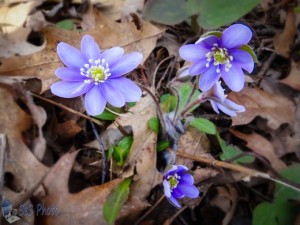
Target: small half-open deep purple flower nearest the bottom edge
column 177, row 184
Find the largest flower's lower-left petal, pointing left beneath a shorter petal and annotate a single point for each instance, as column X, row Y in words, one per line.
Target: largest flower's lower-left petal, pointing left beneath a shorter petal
column 68, row 89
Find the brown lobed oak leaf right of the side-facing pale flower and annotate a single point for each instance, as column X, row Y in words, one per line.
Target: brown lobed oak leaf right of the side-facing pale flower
column 276, row 109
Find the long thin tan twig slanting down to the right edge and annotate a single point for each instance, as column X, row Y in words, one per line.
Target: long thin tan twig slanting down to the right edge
column 238, row 168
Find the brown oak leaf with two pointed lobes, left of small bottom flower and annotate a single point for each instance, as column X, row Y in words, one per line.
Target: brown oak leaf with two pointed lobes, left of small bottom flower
column 84, row 207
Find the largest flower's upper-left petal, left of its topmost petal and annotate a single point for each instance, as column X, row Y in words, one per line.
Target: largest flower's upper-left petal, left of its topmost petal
column 70, row 56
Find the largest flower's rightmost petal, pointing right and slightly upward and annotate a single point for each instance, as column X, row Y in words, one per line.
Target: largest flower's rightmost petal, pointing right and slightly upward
column 126, row 64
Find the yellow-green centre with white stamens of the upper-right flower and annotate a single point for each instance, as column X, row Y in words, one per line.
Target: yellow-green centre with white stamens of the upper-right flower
column 219, row 56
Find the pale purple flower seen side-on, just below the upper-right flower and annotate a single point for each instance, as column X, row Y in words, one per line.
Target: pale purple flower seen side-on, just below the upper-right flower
column 218, row 101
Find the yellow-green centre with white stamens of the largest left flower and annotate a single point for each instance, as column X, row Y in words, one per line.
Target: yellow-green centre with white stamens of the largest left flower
column 96, row 71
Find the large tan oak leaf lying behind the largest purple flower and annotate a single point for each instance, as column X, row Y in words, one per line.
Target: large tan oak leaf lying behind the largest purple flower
column 107, row 34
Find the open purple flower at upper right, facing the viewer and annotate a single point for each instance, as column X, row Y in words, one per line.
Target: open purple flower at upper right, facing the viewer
column 214, row 57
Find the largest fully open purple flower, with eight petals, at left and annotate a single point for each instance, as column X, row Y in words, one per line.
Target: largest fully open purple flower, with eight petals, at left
column 97, row 76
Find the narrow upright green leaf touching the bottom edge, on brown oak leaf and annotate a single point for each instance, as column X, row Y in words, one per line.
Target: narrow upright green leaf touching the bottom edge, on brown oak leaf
column 115, row 201
